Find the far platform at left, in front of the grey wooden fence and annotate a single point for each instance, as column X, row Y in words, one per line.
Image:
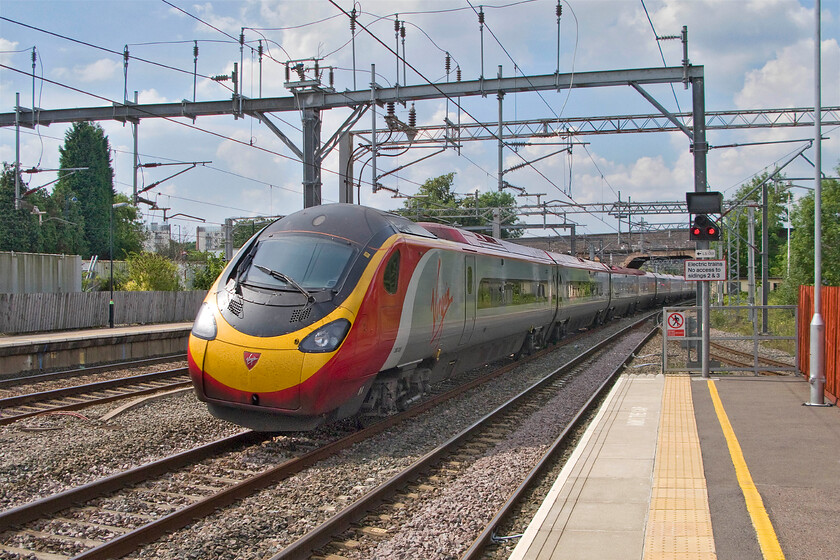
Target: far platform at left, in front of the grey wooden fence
column 39, row 352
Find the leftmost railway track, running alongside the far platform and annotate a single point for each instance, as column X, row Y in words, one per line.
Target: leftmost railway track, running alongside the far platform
column 76, row 397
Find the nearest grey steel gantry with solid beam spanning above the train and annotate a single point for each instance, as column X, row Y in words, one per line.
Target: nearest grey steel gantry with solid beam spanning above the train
column 311, row 103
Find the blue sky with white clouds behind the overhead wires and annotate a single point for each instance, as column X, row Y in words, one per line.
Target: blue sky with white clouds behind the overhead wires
column 756, row 54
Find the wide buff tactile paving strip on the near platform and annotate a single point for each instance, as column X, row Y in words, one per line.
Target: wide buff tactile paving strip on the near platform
column 679, row 523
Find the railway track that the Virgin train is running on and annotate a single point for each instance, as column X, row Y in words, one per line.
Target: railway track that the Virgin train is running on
column 164, row 499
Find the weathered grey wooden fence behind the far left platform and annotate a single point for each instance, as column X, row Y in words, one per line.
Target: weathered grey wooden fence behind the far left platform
column 27, row 313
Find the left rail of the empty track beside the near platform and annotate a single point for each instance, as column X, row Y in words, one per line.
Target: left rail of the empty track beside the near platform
column 322, row 535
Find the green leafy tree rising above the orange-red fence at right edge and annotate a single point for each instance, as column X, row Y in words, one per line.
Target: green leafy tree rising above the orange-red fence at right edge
column 802, row 240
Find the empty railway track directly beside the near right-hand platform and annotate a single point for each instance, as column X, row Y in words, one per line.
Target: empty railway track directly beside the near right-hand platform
column 370, row 517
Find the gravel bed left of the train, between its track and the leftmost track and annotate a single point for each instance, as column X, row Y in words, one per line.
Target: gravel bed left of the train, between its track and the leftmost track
column 46, row 454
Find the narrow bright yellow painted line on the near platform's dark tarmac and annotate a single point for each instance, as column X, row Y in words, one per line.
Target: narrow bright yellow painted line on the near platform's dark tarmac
column 767, row 539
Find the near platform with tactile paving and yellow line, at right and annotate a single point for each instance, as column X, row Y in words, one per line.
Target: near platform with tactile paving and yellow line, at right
column 680, row 467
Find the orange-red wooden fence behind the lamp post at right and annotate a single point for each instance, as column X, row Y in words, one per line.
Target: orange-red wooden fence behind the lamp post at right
column 830, row 311
